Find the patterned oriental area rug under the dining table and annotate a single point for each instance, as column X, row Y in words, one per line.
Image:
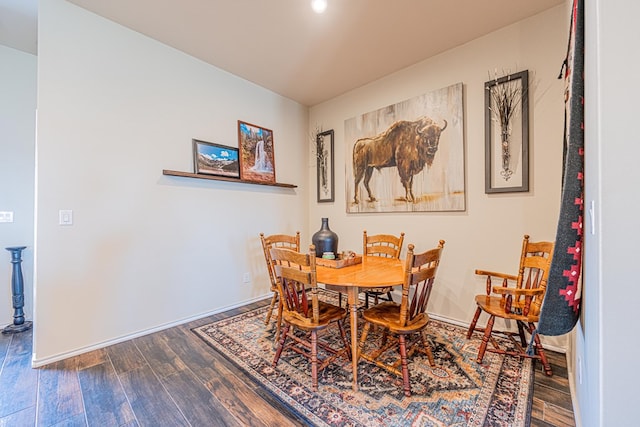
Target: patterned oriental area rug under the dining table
column 456, row 392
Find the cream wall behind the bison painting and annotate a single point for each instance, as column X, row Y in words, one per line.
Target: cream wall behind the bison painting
column 489, row 233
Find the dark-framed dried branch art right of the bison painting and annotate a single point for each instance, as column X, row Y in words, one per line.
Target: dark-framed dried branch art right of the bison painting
column 506, row 127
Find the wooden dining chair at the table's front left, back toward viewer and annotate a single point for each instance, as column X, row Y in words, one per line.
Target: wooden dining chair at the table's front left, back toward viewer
column 302, row 309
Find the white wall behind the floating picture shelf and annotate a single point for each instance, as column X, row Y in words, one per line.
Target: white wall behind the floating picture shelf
column 115, row 108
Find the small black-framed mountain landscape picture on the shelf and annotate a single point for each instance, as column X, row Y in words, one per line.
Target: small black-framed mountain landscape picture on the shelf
column 215, row 159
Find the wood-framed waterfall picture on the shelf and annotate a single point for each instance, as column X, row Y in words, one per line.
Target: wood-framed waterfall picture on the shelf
column 257, row 161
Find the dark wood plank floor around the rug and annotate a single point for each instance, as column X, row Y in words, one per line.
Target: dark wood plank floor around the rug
column 171, row 378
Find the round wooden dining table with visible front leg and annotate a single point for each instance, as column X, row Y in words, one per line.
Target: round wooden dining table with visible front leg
column 372, row 272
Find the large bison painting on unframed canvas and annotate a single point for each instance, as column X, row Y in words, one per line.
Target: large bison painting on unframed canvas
column 407, row 156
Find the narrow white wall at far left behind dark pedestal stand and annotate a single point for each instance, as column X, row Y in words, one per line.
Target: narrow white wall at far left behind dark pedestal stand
column 17, row 145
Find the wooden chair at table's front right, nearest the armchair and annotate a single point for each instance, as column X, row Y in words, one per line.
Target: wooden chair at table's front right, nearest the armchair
column 406, row 321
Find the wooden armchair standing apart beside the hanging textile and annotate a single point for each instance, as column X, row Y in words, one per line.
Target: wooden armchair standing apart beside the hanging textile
column 517, row 297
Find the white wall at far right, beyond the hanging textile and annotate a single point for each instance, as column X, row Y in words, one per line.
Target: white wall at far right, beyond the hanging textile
column 607, row 348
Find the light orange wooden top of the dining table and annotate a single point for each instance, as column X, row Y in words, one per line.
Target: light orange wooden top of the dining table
column 373, row 272
